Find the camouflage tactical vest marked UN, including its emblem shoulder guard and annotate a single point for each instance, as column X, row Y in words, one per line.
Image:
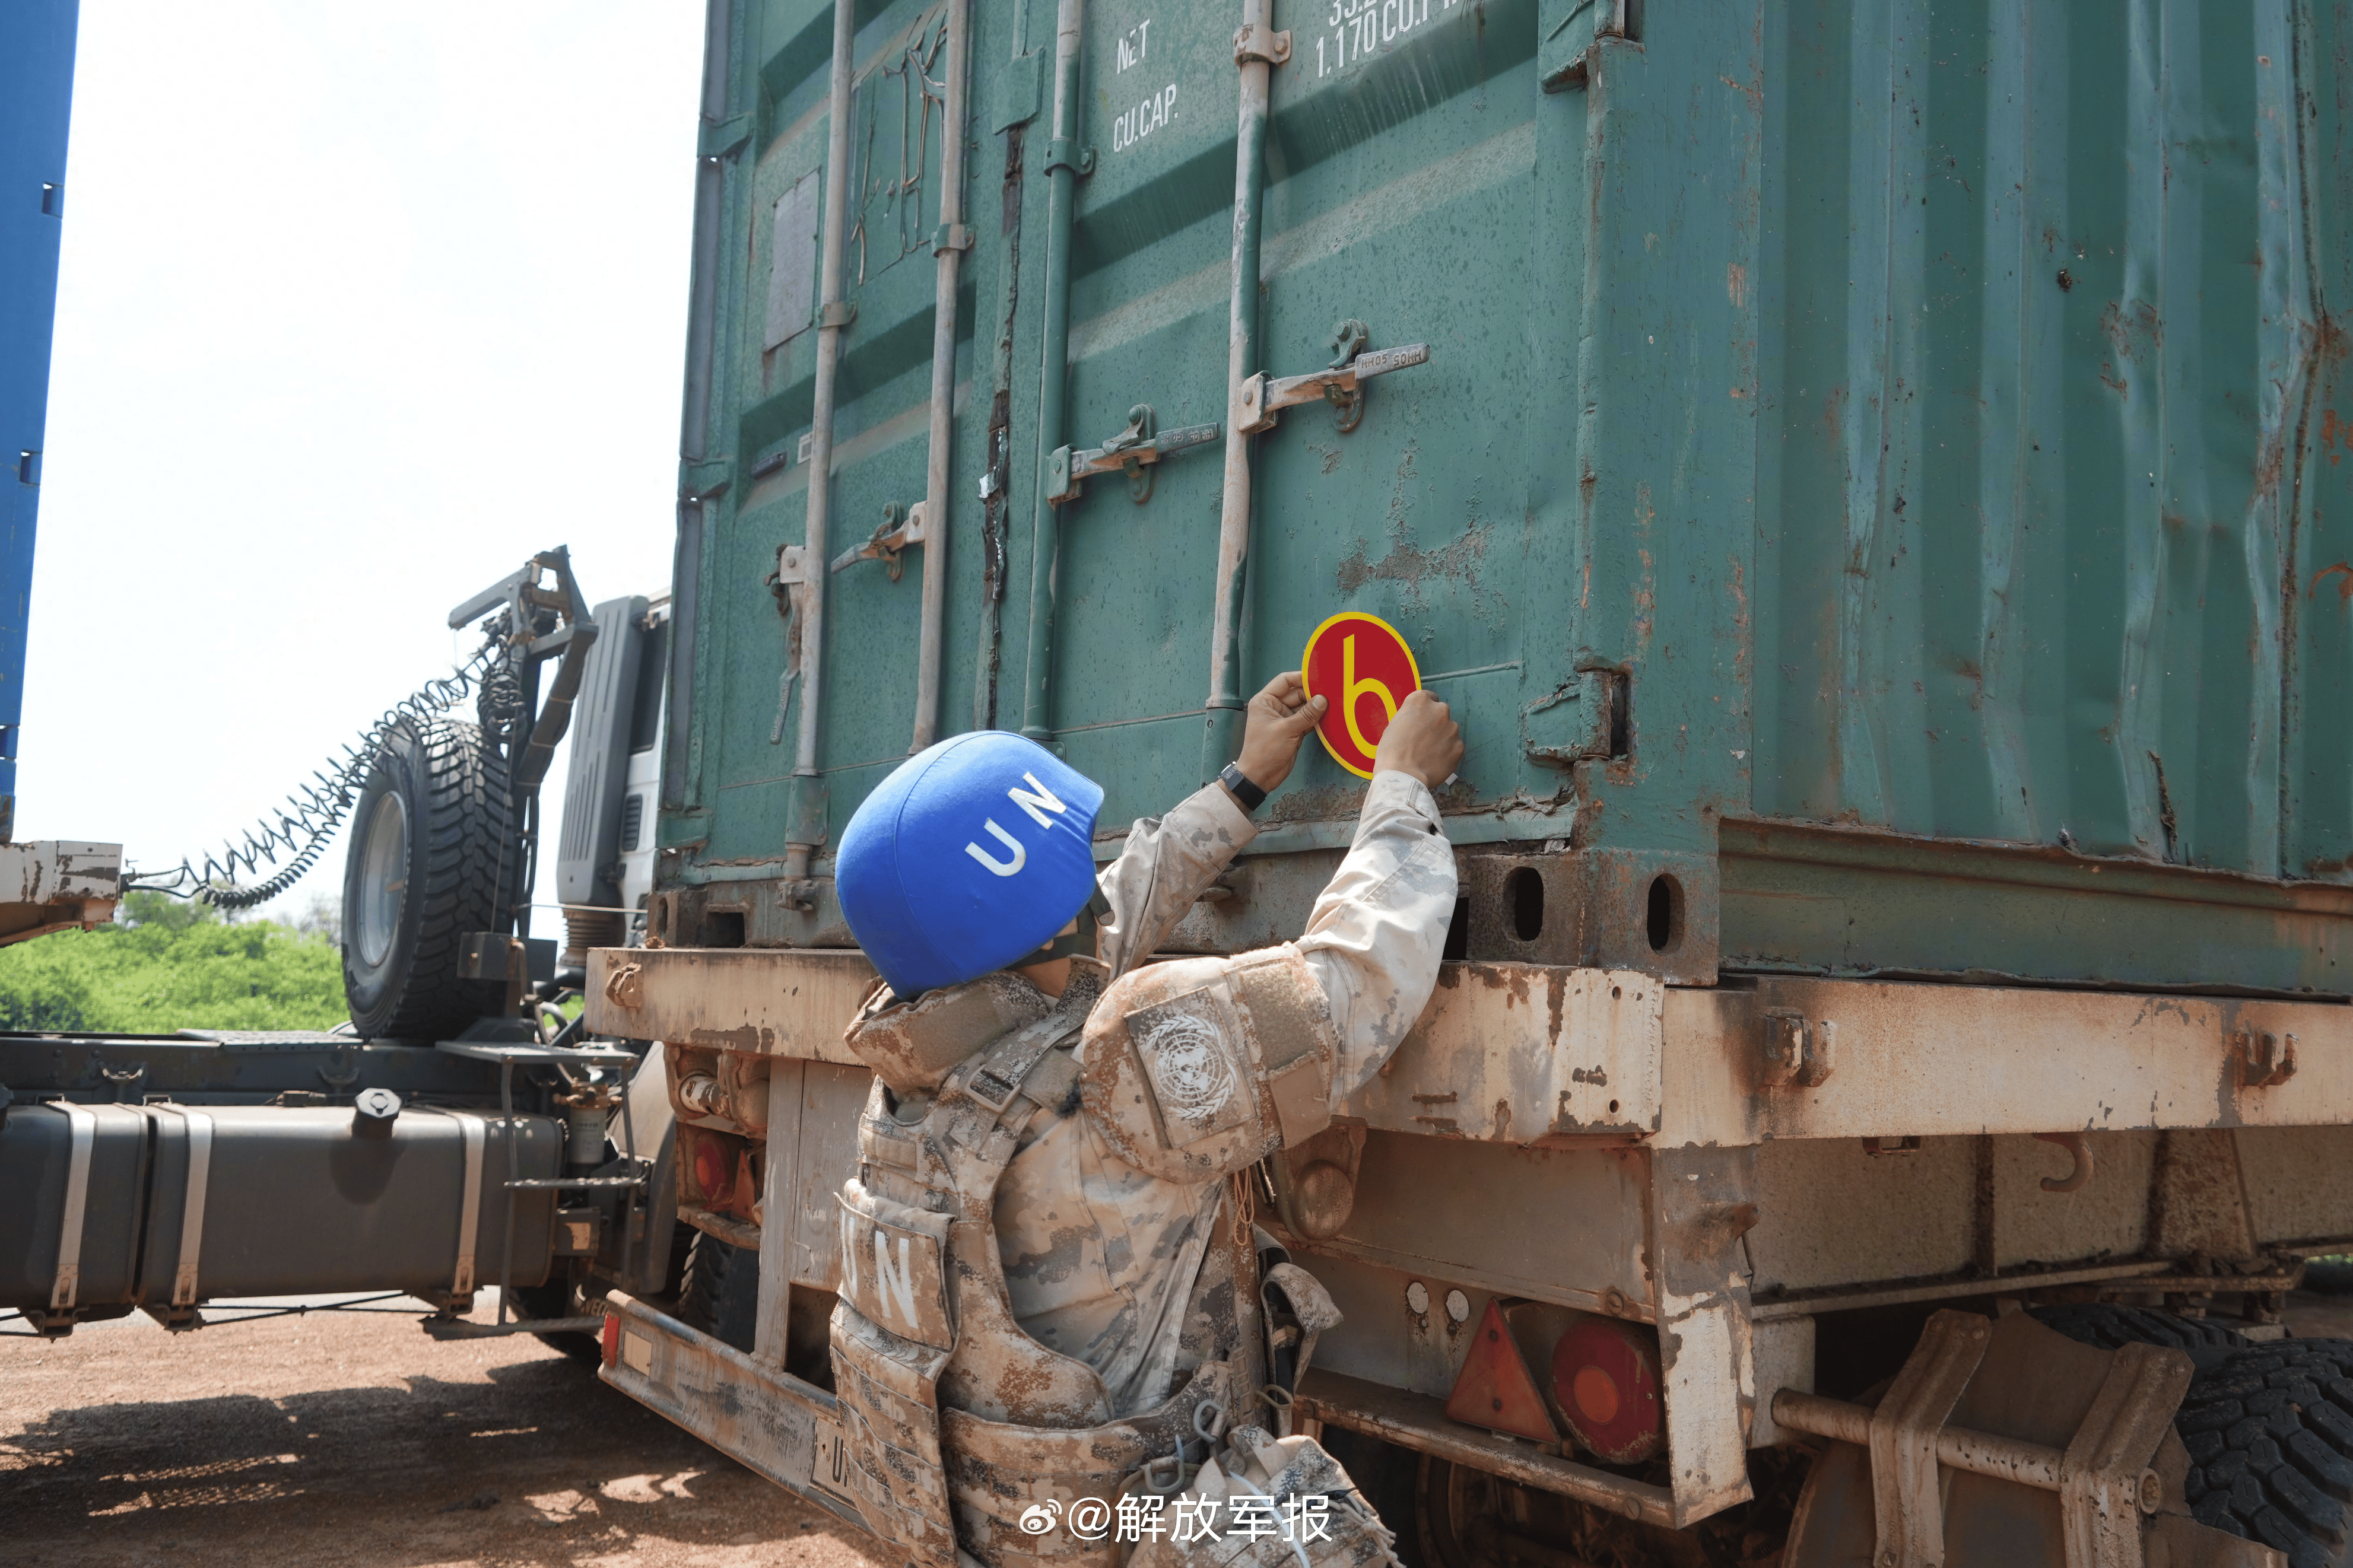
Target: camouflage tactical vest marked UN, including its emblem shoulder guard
column 954, row 1419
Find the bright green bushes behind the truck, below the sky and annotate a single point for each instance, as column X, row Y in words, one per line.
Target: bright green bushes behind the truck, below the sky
column 168, row 967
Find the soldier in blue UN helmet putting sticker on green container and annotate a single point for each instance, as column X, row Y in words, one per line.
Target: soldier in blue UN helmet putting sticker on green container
column 1051, row 1282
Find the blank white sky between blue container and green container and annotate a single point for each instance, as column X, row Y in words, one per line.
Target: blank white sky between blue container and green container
column 359, row 309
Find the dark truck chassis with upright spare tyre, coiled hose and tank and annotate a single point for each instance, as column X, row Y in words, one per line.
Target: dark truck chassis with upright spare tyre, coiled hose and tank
column 460, row 1132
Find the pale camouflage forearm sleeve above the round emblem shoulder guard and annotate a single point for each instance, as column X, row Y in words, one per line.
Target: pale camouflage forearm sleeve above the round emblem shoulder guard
column 1382, row 925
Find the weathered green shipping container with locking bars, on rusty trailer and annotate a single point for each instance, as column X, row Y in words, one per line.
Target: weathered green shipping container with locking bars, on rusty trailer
column 1874, row 495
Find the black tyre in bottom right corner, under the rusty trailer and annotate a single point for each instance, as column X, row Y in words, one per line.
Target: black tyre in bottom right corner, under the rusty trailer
column 2272, row 1449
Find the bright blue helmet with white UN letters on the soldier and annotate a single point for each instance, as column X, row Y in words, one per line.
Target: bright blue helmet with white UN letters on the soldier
column 973, row 855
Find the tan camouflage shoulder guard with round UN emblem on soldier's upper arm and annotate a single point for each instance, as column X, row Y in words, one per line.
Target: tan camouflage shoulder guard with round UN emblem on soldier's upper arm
column 1204, row 1066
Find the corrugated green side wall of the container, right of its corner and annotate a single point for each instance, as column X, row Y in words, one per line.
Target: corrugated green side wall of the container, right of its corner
column 2053, row 424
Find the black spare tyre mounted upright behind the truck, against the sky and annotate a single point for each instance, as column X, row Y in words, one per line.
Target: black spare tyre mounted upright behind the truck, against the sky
column 432, row 859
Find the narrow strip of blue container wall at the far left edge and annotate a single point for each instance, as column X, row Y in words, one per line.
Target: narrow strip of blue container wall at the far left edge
column 36, row 98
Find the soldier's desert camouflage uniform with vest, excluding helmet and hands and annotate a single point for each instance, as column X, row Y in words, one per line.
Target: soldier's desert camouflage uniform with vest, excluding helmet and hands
column 1048, row 1285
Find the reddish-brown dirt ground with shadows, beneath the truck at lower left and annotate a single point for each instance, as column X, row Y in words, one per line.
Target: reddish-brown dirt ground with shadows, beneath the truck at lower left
column 356, row 1440
